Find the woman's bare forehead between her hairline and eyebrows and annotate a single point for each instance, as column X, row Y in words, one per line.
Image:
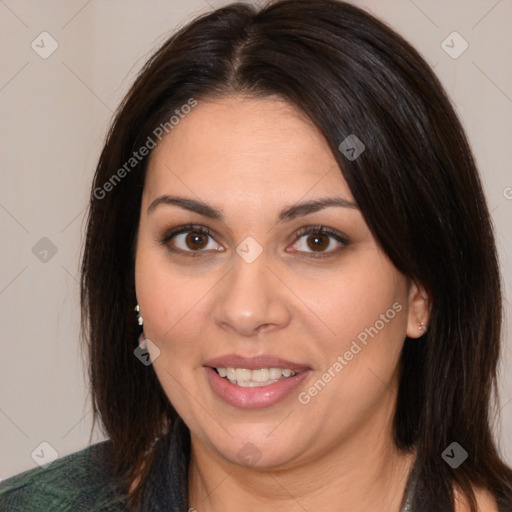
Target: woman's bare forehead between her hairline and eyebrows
column 244, row 149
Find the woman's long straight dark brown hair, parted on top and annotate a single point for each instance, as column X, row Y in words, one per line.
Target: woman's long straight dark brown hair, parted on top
column 416, row 184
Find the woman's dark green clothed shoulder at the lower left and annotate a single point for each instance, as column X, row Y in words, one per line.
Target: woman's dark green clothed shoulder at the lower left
column 80, row 482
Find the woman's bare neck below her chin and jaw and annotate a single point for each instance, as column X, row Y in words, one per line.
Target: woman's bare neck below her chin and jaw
column 364, row 473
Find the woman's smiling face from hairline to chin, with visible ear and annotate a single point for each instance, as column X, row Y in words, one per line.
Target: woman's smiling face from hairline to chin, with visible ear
column 264, row 290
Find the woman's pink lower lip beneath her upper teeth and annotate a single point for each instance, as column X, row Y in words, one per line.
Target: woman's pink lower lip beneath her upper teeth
column 252, row 398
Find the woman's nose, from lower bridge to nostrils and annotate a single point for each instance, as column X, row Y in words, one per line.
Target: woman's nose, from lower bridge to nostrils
column 251, row 299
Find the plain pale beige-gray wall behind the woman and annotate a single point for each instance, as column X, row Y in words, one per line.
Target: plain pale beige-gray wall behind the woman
column 54, row 117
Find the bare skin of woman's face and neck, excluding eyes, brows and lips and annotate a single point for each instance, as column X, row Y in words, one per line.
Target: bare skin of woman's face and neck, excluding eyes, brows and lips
column 250, row 158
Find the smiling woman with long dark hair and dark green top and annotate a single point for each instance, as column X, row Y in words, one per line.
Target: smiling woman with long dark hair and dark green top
column 288, row 201
